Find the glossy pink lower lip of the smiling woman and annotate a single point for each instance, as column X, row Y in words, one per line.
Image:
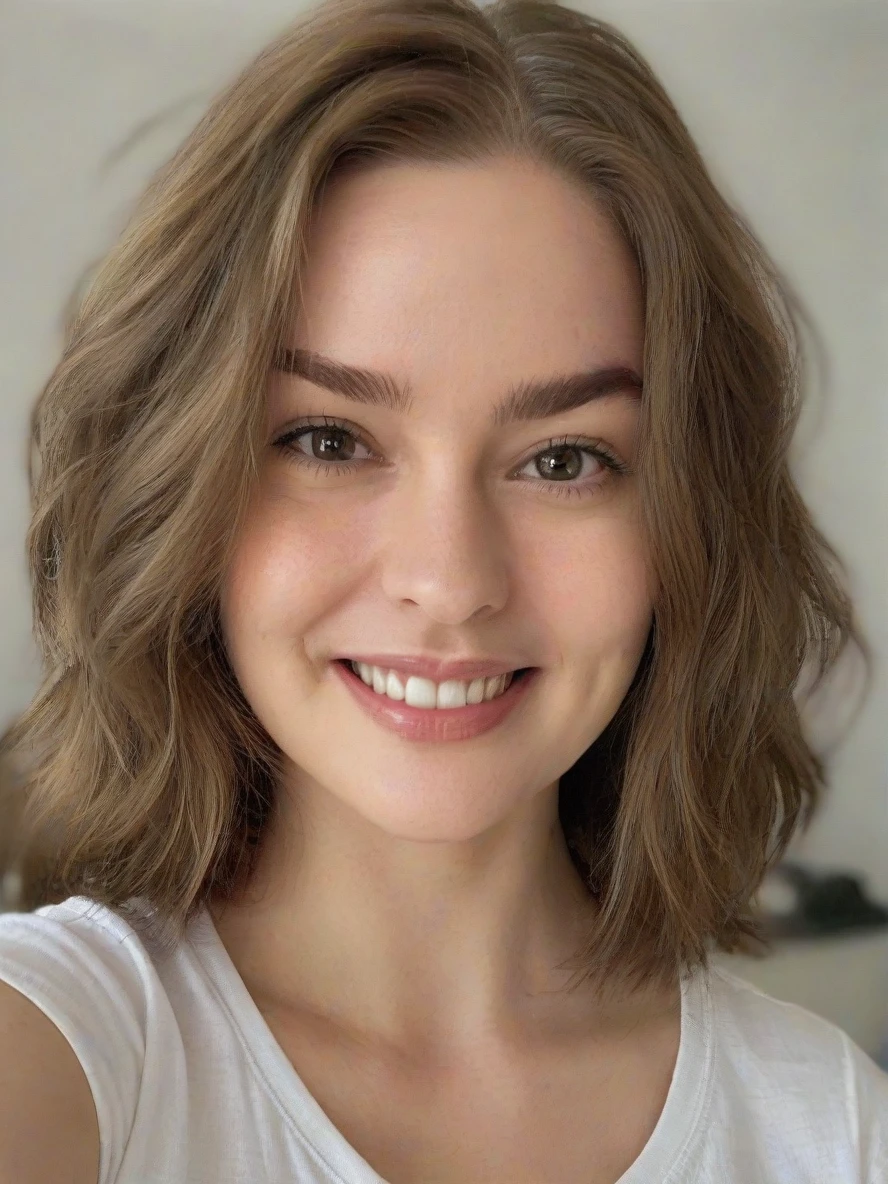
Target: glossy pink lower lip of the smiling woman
column 436, row 724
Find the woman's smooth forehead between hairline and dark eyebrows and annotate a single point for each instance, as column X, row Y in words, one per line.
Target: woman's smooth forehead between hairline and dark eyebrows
column 471, row 280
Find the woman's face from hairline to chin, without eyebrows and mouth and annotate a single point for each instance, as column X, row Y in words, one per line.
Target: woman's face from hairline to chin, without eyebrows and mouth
column 439, row 529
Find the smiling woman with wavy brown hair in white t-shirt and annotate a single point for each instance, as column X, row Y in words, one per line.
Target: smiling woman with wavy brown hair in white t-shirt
column 424, row 590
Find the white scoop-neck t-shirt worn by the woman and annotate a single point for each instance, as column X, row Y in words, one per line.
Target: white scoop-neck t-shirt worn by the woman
column 191, row 1086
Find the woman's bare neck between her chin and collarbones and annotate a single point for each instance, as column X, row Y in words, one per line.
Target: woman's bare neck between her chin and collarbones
column 419, row 945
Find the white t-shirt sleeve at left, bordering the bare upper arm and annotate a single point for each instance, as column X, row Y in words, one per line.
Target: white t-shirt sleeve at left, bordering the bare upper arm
column 81, row 975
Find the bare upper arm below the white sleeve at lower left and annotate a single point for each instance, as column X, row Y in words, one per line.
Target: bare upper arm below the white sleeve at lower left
column 49, row 1131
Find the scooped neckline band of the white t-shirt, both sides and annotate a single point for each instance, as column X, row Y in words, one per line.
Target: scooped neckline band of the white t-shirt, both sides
column 680, row 1125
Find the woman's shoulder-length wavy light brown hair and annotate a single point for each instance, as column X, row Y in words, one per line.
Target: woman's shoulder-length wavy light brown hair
column 140, row 771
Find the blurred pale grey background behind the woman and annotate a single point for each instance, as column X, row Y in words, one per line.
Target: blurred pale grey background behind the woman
column 789, row 104
